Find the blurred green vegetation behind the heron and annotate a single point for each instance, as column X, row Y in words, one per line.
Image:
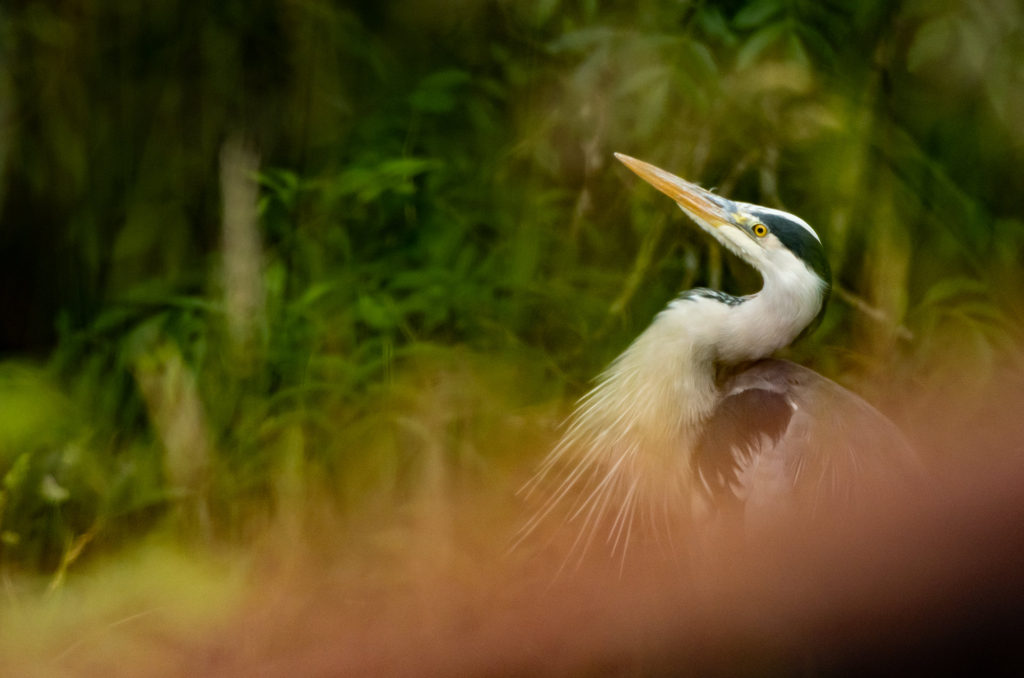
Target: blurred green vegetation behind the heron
column 252, row 252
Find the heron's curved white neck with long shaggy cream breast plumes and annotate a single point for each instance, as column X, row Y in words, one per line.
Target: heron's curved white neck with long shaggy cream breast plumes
column 631, row 438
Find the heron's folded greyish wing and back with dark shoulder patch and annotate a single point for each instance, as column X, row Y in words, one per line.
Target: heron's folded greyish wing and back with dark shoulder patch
column 783, row 434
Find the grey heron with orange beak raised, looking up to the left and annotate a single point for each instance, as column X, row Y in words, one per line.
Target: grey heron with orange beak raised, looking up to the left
column 695, row 414
